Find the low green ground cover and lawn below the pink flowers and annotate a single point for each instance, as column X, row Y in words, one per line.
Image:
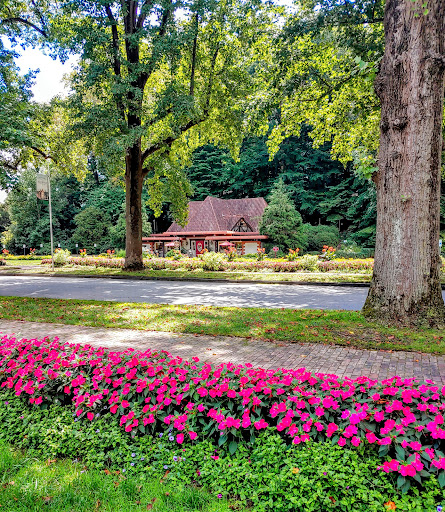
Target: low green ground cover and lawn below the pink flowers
column 267, row 476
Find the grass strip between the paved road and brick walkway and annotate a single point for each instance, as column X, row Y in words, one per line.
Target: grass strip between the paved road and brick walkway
column 348, row 328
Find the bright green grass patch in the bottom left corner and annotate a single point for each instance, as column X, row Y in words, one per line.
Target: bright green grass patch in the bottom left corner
column 28, row 485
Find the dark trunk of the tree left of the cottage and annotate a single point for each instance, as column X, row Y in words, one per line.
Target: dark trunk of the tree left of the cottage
column 133, row 200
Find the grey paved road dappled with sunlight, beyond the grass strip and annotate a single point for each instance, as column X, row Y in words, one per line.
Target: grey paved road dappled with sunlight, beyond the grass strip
column 183, row 292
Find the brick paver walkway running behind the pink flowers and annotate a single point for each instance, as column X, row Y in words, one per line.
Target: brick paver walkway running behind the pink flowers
column 217, row 349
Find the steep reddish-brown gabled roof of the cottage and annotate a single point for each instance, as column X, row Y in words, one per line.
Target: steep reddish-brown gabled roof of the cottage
column 214, row 214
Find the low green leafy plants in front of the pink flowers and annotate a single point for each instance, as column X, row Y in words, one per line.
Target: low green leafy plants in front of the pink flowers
column 269, row 474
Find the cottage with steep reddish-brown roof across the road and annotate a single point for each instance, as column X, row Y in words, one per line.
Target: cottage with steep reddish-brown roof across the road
column 214, row 224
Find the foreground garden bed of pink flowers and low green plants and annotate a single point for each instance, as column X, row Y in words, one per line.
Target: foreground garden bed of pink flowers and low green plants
column 277, row 439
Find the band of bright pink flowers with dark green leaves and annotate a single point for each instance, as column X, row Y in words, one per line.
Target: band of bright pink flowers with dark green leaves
column 152, row 391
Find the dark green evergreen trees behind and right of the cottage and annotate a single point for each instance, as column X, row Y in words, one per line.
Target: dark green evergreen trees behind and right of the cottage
column 322, row 190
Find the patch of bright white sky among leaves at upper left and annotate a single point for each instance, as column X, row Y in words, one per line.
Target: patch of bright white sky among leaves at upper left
column 48, row 82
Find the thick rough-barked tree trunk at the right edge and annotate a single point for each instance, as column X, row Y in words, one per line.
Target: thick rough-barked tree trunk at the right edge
column 405, row 286
